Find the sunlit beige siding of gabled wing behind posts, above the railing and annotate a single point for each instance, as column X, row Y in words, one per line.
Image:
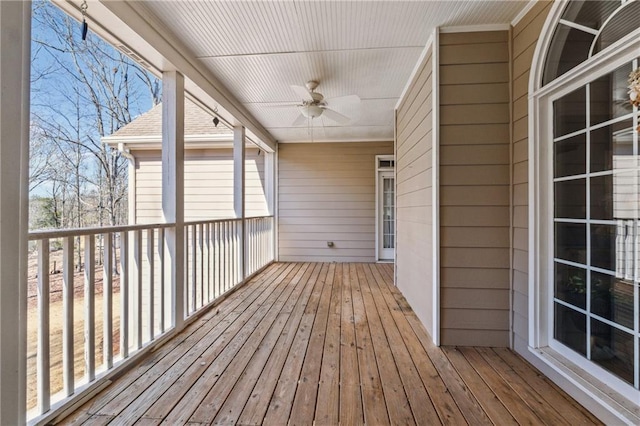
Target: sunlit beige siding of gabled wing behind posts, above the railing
column 208, row 185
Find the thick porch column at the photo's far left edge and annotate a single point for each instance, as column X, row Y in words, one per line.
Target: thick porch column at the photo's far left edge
column 15, row 39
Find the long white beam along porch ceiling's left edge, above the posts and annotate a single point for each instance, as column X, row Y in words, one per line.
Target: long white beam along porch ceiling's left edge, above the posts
column 123, row 23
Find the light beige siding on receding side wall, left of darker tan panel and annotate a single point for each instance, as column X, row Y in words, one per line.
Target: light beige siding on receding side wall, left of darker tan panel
column 414, row 173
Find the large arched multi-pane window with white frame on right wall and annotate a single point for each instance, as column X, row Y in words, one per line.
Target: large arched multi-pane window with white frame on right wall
column 586, row 213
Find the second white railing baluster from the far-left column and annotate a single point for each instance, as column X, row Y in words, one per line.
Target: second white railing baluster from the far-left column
column 67, row 306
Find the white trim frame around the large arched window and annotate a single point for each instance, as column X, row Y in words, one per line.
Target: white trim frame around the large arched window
column 540, row 200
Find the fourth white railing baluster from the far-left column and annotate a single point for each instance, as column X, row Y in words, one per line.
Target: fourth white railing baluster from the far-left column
column 107, row 301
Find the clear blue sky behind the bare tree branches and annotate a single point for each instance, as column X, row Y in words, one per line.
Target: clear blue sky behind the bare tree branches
column 62, row 103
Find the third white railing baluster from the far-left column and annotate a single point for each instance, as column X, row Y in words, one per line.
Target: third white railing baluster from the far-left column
column 89, row 307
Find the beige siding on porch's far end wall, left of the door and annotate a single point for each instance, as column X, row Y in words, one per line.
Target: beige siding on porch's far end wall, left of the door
column 327, row 193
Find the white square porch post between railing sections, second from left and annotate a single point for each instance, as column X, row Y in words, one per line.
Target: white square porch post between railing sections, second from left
column 173, row 186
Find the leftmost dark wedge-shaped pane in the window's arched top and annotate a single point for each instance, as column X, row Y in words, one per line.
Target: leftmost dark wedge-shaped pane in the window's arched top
column 569, row 47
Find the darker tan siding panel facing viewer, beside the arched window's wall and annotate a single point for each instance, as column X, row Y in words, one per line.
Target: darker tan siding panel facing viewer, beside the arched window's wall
column 474, row 188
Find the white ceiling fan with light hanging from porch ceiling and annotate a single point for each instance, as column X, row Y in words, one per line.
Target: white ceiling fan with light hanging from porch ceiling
column 315, row 105
